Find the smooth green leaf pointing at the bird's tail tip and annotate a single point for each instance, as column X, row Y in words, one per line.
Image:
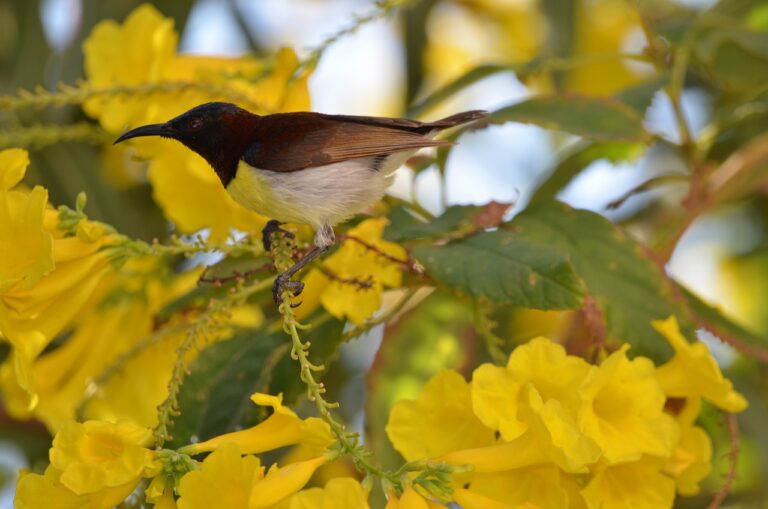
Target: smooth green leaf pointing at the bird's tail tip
column 601, row 119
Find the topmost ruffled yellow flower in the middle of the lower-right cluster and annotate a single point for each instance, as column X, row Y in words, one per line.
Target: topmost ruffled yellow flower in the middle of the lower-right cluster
column 496, row 391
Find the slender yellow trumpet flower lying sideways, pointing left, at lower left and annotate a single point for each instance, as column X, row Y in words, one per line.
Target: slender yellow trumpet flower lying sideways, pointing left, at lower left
column 280, row 429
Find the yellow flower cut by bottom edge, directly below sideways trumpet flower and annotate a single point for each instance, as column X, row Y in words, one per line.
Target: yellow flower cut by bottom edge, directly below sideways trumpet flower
column 224, row 481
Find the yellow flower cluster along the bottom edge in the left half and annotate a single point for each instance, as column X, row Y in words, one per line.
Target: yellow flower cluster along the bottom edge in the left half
column 98, row 464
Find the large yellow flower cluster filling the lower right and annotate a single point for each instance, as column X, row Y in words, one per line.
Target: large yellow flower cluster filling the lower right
column 553, row 431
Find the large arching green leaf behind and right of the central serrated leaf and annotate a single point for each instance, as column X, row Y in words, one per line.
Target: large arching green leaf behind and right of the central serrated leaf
column 629, row 288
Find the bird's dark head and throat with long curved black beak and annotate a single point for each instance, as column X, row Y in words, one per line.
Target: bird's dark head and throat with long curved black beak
column 220, row 132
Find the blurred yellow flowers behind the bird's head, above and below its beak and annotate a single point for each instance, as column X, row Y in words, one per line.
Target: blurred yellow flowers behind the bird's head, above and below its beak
column 144, row 80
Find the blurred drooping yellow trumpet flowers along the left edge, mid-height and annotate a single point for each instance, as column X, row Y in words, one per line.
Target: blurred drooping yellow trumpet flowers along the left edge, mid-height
column 59, row 274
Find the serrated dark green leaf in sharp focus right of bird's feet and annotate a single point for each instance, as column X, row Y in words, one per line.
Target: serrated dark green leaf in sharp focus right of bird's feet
column 505, row 268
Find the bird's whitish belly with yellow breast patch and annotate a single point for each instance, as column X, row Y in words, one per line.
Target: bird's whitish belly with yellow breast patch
column 324, row 195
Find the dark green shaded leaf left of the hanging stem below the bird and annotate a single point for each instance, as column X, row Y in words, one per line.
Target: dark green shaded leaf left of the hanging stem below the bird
column 215, row 397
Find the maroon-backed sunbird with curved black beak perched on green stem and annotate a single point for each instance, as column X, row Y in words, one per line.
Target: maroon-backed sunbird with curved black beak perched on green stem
column 301, row 167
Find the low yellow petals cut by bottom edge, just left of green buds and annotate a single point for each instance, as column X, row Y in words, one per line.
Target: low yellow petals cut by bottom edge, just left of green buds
column 339, row 493
